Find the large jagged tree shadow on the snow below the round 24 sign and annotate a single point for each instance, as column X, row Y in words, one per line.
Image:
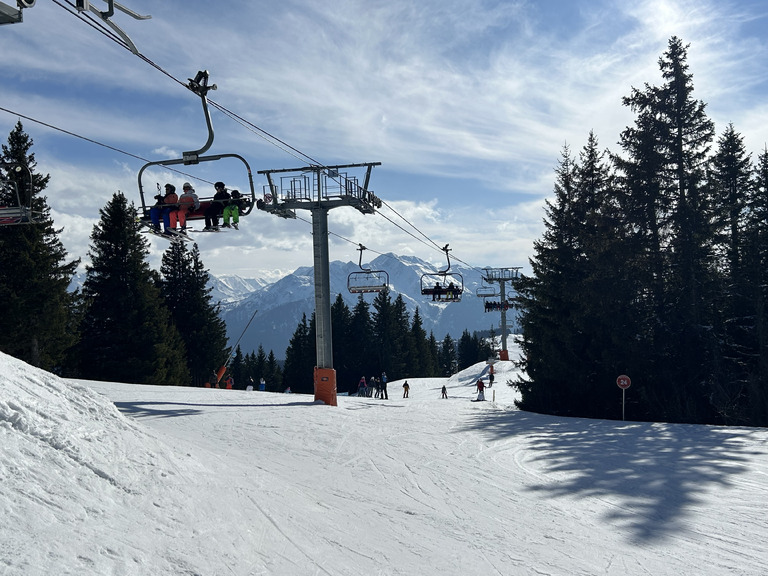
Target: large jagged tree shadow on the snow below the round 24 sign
column 655, row 474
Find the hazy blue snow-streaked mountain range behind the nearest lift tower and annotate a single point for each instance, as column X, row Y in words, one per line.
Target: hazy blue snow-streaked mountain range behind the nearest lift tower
column 281, row 304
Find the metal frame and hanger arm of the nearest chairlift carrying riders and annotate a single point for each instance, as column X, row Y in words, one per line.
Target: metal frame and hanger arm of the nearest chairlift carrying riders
column 199, row 85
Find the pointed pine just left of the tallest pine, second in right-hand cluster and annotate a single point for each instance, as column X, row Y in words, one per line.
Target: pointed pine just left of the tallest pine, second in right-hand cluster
column 604, row 291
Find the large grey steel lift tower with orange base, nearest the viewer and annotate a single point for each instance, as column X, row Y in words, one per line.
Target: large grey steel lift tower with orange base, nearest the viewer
column 318, row 189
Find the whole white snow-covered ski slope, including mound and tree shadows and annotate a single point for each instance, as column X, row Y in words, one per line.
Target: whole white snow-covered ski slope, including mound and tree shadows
column 106, row 478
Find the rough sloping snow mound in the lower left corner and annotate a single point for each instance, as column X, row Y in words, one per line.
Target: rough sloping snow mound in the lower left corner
column 71, row 461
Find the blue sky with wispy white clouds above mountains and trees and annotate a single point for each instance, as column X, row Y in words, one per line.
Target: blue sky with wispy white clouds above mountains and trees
column 467, row 105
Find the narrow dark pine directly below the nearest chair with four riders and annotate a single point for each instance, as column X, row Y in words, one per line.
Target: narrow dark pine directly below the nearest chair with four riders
column 185, row 286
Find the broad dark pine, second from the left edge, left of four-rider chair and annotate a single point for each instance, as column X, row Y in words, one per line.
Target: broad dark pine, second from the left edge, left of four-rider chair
column 127, row 333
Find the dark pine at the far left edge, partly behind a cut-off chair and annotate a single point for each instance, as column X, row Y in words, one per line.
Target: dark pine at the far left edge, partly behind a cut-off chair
column 37, row 323
